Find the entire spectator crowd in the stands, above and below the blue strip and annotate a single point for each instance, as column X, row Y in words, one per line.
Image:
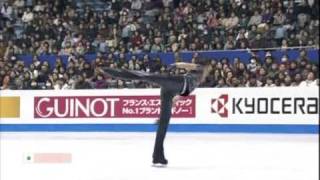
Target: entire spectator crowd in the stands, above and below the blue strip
column 116, row 27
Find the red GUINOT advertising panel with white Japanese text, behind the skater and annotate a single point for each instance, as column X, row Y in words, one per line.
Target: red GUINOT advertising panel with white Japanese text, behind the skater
column 108, row 107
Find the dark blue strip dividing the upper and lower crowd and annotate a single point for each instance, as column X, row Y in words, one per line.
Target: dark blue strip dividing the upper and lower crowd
column 169, row 58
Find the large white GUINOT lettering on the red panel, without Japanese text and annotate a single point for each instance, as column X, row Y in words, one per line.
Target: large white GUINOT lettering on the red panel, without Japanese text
column 74, row 107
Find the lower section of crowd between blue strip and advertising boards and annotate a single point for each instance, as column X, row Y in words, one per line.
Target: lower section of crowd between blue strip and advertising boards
column 80, row 74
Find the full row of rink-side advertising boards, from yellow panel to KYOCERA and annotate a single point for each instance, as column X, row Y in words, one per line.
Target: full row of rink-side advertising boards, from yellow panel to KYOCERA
column 205, row 106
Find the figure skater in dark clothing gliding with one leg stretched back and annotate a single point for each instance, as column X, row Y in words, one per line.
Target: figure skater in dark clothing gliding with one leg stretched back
column 172, row 87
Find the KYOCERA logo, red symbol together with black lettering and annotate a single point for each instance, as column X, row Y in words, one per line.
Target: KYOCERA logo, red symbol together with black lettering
column 264, row 105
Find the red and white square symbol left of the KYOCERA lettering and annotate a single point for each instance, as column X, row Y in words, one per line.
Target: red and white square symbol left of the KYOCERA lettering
column 218, row 105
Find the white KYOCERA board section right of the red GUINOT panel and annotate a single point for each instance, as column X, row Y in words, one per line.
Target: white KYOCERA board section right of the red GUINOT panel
column 259, row 105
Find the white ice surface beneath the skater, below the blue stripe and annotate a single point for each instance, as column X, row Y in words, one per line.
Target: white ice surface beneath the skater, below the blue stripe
column 192, row 156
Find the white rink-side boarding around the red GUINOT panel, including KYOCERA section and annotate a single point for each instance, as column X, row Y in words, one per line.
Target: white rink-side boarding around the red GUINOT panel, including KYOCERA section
column 206, row 111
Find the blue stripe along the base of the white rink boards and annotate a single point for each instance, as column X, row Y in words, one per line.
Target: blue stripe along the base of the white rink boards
column 192, row 128
